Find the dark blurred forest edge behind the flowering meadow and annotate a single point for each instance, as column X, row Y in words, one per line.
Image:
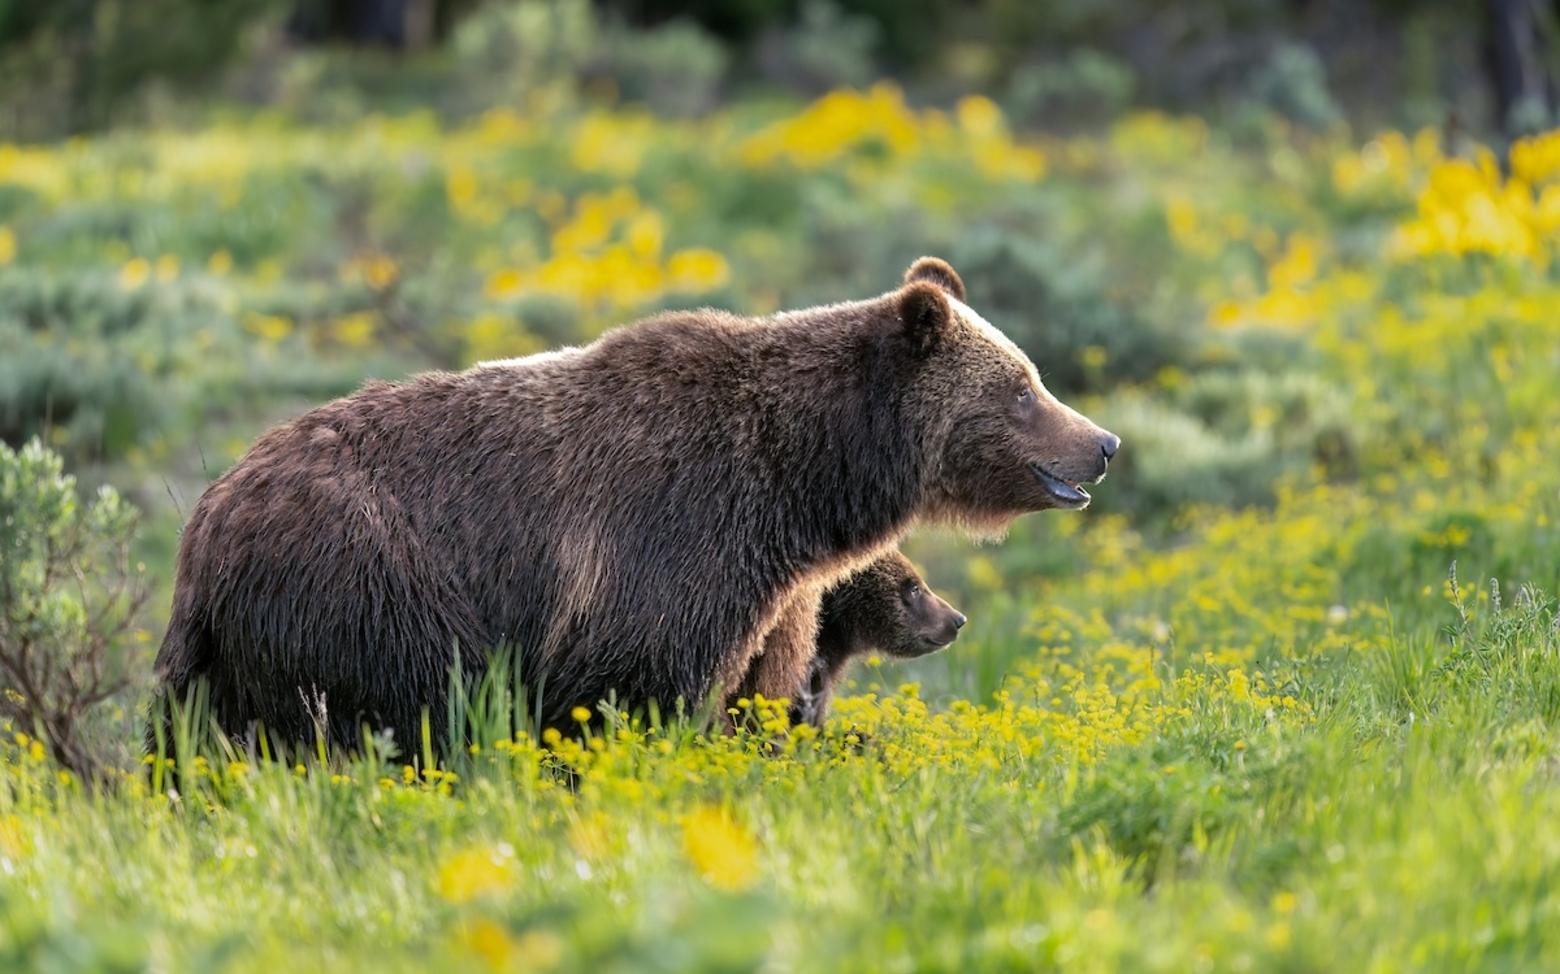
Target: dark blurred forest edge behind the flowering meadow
column 83, row 65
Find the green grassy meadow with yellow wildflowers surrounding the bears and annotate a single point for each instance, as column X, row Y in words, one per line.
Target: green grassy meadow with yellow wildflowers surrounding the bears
column 1285, row 699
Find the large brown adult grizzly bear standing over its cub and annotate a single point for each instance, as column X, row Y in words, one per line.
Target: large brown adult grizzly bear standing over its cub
column 634, row 516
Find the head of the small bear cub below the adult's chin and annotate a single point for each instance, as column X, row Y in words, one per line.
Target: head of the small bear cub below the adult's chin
column 890, row 610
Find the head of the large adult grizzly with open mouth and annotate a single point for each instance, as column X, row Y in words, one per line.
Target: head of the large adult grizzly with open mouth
column 999, row 444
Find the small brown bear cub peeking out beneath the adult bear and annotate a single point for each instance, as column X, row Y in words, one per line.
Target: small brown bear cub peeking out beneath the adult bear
column 885, row 608
